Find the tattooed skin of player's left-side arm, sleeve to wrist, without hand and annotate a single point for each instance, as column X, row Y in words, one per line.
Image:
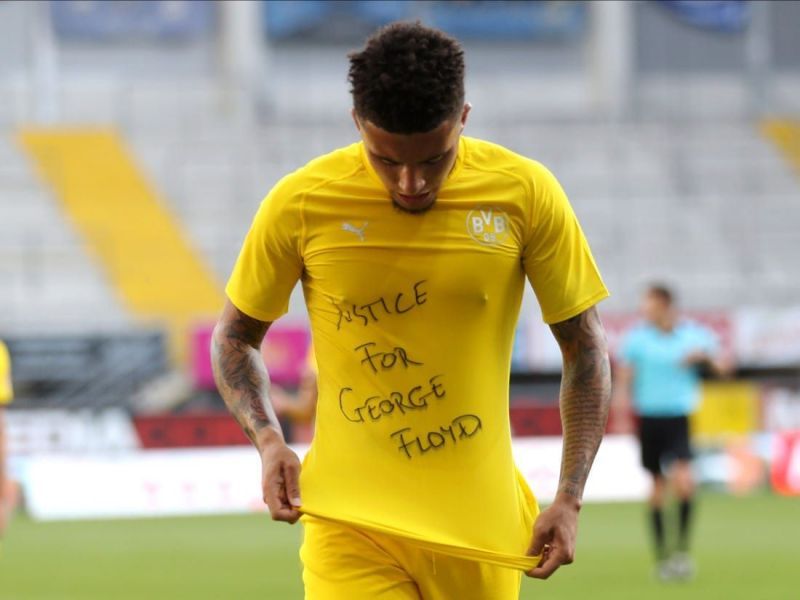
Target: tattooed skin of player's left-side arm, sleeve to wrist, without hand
column 240, row 374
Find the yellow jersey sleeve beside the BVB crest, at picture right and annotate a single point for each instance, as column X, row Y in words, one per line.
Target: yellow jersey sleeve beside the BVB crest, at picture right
column 556, row 256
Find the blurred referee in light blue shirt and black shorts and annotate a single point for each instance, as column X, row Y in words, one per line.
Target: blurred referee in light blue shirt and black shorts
column 660, row 362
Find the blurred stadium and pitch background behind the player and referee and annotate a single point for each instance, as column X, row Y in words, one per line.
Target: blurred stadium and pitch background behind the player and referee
column 136, row 142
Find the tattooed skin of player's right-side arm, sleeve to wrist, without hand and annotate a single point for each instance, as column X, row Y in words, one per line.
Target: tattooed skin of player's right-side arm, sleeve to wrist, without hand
column 585, row 396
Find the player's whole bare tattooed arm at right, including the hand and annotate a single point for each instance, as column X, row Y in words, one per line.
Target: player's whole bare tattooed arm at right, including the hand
column 585, row 396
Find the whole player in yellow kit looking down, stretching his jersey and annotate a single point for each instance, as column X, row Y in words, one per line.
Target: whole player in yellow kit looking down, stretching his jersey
column 412, row 247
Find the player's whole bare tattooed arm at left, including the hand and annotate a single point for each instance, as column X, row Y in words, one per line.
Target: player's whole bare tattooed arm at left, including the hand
column 243, row 382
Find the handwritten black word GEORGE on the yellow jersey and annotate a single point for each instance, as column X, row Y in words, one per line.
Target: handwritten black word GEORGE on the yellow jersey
column 374, row 408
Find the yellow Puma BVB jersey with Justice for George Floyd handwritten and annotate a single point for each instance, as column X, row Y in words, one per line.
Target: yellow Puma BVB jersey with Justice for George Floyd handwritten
column 412, row 319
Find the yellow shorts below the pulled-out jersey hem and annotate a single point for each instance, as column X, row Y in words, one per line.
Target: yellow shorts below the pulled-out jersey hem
column 343, row 562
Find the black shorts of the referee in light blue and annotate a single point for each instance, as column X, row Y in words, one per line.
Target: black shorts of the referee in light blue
column 663, row 439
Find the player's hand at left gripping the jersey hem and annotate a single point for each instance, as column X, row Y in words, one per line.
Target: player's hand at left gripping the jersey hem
column 280, row 481
